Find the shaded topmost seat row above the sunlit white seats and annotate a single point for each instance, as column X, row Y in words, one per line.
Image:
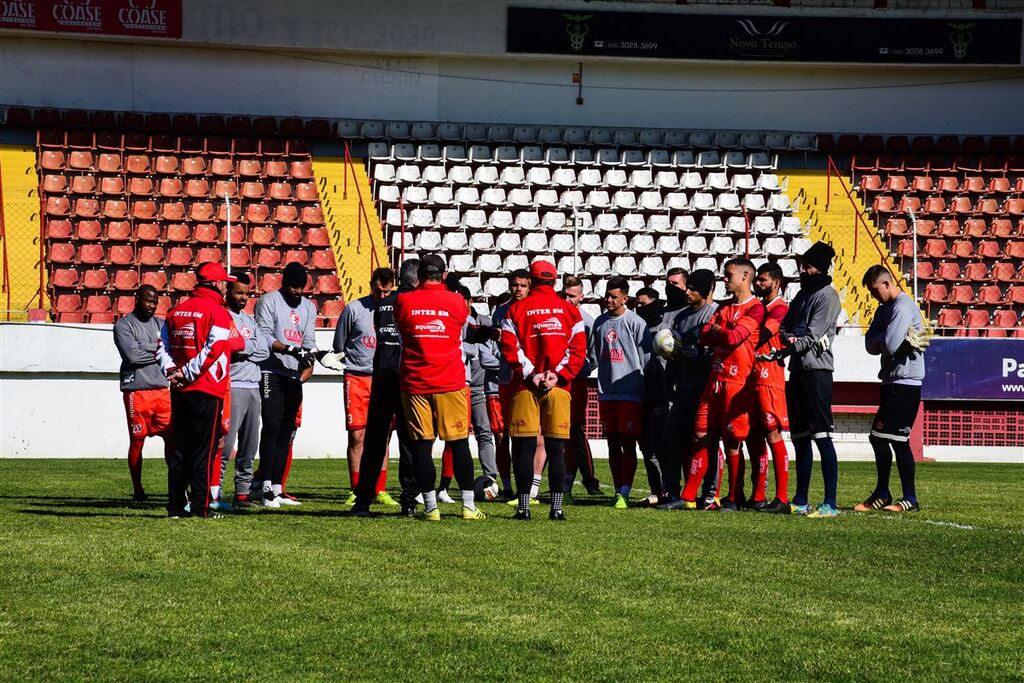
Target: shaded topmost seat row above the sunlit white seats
column 573, row 136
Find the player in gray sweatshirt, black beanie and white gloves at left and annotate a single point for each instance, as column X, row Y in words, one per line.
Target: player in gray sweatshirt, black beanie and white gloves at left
column 288, row 320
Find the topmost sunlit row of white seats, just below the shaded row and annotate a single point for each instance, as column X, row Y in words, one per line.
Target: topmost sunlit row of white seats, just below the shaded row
column 532, row 155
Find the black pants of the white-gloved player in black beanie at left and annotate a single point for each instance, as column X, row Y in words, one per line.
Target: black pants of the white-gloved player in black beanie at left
column 281, row 399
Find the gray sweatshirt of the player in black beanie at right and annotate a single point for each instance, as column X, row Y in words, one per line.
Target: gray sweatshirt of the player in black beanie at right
column 813, row 316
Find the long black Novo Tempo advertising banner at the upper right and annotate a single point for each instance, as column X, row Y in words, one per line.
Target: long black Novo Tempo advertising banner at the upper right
column 776, row 38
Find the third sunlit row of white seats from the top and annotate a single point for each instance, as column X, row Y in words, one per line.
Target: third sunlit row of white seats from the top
column 595, row 199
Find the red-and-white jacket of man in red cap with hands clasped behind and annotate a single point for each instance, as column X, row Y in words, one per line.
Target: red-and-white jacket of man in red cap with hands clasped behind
column 544, row 332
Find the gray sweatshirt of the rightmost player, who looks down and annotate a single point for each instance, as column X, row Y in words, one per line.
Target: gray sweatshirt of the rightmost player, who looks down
column 902, row 364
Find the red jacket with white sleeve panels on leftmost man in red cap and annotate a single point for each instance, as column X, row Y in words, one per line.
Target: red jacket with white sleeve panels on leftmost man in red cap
column 198, row 338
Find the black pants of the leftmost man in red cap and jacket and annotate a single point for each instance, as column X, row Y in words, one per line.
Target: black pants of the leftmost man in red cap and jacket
column 198, row 422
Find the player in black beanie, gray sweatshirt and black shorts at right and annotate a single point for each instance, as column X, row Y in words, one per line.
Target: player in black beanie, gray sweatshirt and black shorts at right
column 808, row 331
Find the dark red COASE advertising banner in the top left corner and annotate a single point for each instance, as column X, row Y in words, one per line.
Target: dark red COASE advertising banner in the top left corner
column 160, row 19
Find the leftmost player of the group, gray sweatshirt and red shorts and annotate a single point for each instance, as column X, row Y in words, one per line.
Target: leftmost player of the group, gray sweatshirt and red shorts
column 144, row 388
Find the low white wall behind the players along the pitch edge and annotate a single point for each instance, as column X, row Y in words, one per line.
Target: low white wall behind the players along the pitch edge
column 60, row 399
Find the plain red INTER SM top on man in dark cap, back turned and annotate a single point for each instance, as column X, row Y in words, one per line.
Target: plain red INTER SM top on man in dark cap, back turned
column 431, row 321
